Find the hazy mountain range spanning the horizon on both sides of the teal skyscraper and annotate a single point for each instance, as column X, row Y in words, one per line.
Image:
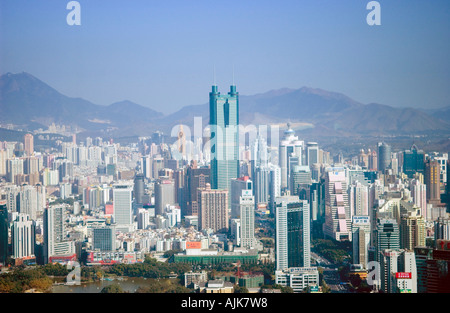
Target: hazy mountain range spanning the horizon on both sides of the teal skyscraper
column 29, row 102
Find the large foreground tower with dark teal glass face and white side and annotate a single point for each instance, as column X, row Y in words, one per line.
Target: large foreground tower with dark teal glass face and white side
column 293, row 245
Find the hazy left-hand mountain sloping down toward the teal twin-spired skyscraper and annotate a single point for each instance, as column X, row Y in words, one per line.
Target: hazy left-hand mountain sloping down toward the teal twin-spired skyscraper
column 27, row 100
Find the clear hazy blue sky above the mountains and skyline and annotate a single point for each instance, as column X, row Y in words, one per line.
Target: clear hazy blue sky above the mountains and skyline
column 162, row 53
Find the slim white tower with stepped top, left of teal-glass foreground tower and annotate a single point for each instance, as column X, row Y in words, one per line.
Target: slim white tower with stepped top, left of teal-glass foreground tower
column 247, row 219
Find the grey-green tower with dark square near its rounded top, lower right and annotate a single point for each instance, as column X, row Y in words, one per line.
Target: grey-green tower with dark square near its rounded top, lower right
column 386, row 236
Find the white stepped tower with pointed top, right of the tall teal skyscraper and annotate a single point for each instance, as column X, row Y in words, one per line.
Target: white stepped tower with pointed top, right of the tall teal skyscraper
column 290, row 153
